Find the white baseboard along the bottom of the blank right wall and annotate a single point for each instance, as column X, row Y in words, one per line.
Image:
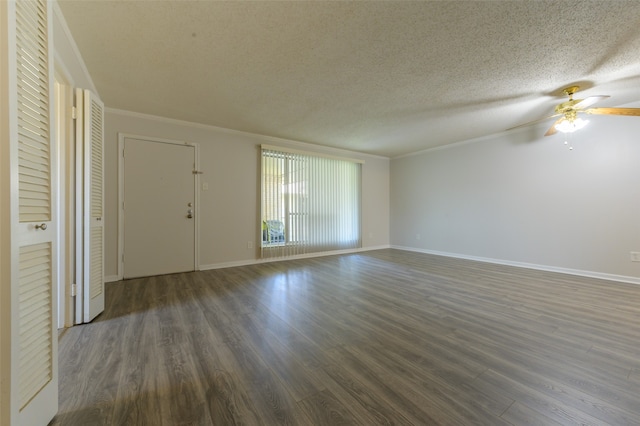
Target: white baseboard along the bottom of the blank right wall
column 577, row 272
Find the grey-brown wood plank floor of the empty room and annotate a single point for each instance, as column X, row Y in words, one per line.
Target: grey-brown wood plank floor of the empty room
column 381, row 337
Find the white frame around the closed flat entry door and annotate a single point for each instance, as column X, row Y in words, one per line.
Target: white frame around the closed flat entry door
column 121, row 179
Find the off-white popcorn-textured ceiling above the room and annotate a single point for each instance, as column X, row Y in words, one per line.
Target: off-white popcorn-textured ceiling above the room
column 386, row 78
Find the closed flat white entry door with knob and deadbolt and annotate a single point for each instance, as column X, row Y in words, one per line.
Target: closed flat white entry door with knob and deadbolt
column 159, row 207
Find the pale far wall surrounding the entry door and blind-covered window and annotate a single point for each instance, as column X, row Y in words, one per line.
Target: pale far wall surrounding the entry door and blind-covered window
column 229, row 216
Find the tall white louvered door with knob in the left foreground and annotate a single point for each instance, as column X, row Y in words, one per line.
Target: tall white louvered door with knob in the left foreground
column 34, row 378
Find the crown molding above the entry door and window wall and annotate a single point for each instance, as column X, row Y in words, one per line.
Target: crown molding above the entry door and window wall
column 314, row 147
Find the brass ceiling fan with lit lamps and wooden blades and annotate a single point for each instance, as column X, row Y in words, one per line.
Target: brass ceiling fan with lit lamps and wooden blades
column 568, row 112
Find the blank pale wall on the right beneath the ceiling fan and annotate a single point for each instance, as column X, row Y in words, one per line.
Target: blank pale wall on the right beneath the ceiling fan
column 524, row 199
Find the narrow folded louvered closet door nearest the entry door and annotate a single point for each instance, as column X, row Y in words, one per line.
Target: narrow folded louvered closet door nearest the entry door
column 90, row 201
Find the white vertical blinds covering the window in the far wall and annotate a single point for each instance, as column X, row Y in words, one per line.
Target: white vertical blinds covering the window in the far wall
column 310, row 203
